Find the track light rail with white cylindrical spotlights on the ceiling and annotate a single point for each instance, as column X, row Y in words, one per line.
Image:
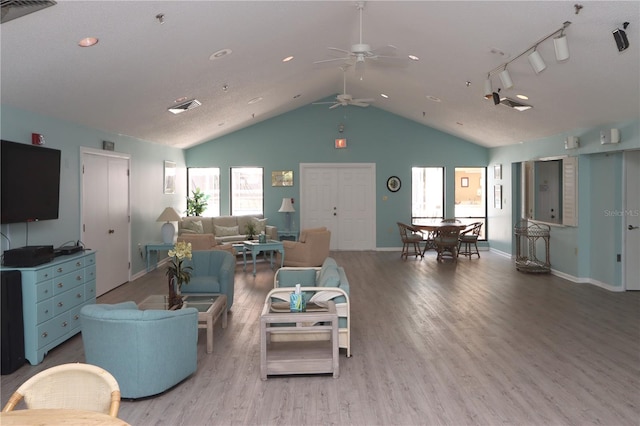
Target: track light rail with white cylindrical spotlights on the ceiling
column 535, row 59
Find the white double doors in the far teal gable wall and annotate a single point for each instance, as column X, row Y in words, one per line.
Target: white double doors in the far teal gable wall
column 342, row 198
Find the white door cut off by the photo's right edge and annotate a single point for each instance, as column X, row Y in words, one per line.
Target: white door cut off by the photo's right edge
column 631, row 232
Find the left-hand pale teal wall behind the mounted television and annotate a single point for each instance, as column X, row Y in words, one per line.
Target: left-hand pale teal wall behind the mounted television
column 147, row 167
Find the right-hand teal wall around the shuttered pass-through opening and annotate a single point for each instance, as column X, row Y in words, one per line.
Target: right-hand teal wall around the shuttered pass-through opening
column 598, row 236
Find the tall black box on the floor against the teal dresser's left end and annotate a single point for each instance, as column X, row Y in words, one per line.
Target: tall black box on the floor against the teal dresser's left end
column 12, row 337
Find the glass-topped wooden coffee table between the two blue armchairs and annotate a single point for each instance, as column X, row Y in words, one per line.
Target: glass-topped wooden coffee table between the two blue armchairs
column 210, row 307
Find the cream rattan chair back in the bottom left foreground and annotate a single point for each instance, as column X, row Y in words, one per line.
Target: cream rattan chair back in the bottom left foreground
column 77, row 386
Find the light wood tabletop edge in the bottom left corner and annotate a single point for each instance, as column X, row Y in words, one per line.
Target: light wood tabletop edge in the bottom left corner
column 59, row 416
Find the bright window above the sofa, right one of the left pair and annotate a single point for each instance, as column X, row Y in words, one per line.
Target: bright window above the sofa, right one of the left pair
column 247, row 191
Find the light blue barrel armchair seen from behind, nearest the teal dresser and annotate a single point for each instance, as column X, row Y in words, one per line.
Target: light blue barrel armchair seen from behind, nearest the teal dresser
column 146, row 351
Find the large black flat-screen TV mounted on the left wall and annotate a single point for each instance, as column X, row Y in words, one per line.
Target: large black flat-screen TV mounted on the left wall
column 30, row 182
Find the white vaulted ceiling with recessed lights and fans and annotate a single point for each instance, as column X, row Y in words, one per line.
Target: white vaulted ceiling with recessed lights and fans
column 127, row 81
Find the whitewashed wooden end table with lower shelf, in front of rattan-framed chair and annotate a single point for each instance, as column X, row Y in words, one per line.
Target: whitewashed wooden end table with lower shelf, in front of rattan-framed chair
column 298, row 357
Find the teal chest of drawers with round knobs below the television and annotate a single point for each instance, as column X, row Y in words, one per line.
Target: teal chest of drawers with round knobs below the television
column 52, row 295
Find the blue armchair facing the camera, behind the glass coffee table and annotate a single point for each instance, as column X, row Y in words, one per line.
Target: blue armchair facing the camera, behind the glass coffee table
column 214, row 271
